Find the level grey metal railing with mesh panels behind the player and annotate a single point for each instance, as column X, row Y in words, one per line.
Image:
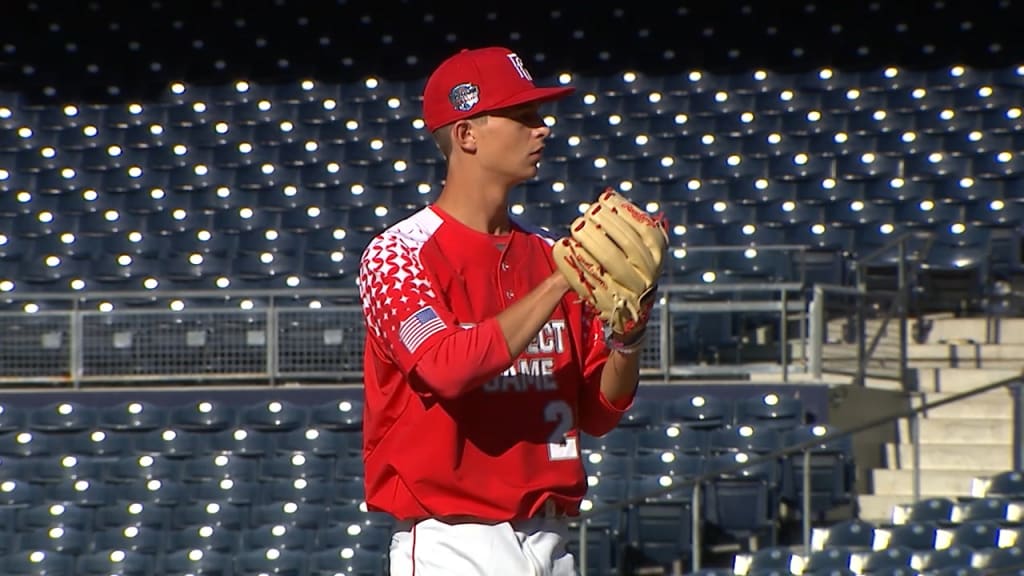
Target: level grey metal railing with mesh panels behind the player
column 280, row 339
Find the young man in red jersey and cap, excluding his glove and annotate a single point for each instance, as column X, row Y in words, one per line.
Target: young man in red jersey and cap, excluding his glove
column 482, row 365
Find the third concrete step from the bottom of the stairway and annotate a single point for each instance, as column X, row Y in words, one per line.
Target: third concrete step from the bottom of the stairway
column 952, row 457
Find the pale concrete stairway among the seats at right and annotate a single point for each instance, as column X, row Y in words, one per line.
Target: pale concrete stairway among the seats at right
column 962, row 441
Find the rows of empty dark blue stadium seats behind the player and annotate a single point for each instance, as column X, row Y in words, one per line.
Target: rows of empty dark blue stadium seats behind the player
column 150, row 149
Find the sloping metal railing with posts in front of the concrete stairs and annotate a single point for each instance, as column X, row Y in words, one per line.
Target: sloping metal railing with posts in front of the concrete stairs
column 697, row 484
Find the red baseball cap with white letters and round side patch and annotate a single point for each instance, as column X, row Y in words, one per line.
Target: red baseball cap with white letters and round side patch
column 481, row 80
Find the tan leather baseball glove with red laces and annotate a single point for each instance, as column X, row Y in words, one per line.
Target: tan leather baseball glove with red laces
column 613, row 260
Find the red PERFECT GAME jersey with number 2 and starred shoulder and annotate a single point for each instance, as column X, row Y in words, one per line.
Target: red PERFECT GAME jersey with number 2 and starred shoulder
column 453, row 426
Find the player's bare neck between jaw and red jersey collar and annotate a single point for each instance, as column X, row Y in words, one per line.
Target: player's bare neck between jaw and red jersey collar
column 481, row 208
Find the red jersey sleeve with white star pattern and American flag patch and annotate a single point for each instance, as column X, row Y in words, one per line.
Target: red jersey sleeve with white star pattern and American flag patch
column 415, row 328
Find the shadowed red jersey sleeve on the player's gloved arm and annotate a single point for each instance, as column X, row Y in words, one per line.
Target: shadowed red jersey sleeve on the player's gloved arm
column 599, row 416
